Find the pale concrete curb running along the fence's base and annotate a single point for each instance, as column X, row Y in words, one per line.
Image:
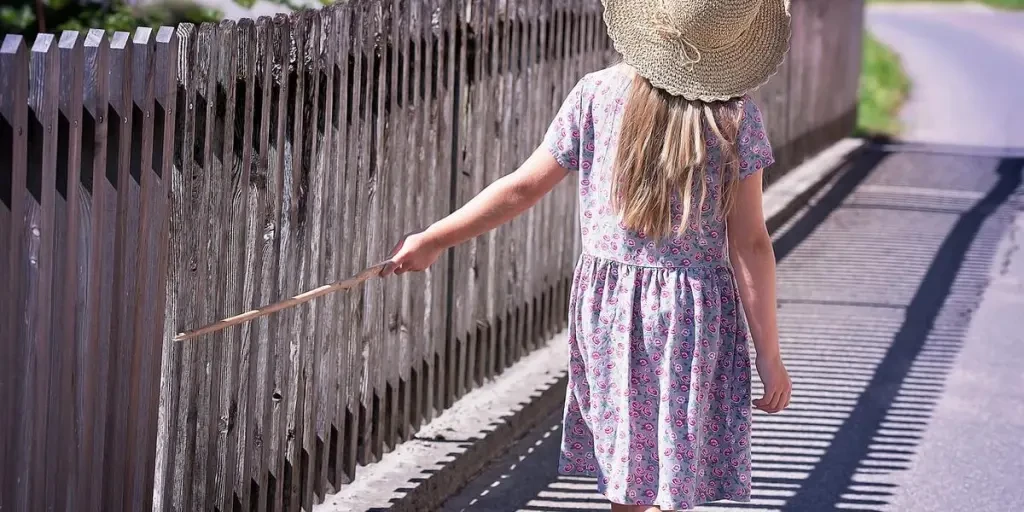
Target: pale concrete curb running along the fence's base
column 457, row 446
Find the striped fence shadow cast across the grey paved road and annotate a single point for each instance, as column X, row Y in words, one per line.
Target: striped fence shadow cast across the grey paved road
column 869, row 369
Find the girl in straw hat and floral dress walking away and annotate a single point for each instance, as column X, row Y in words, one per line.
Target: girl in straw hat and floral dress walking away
column 669, row 153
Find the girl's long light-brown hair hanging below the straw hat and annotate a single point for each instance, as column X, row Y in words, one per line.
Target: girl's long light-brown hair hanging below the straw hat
column 663, row 151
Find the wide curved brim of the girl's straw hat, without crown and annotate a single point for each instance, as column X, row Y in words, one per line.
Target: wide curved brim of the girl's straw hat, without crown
column 722, row 74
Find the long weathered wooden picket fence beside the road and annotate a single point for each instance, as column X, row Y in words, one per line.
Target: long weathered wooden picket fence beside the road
column 155, row 182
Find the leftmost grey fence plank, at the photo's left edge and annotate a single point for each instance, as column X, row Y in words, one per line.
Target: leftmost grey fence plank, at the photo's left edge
column 14, row 135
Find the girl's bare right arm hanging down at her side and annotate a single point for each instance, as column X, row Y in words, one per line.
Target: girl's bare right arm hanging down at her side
column 754, row 261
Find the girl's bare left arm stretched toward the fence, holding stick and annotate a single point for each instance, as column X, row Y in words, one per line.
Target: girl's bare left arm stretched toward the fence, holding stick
column 499, row 203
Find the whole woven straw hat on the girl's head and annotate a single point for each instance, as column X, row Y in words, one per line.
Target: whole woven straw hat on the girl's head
column 702, row 50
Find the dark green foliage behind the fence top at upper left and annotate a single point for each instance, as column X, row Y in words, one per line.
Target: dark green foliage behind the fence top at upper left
column 19, row 17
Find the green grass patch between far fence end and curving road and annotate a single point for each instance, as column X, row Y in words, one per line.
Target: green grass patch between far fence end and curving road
column 884, row 88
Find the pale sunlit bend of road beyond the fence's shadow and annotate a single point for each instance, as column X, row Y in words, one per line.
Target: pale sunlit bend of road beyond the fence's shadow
column 967, row 63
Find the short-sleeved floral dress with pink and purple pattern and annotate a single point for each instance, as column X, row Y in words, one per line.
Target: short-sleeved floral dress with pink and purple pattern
column 659, row 400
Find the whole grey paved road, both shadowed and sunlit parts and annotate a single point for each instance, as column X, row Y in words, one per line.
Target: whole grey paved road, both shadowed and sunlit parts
column 902, row 307
